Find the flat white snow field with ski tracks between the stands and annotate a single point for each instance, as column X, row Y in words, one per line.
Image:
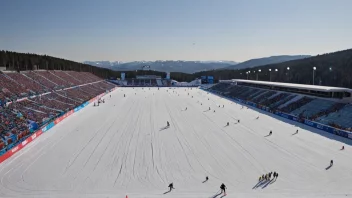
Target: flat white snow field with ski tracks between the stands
column 123, row 148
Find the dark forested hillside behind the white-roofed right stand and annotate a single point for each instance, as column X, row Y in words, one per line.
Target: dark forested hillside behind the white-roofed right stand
column 332, row 69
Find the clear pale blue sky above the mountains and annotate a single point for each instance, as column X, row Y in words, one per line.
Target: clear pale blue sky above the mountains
column 127, row 30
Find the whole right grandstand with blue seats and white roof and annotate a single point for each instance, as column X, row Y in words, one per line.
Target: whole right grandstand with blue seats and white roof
column 326, row 105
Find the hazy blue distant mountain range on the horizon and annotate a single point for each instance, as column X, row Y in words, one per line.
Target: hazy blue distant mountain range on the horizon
column 191, row 66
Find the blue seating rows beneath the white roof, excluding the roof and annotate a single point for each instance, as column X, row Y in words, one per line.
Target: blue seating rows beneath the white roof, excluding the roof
column 328, row 112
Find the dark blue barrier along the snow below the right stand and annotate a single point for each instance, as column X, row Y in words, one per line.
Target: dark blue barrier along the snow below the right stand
column 326, row 128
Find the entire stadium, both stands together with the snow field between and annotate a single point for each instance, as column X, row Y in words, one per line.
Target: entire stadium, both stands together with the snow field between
column 73, row 134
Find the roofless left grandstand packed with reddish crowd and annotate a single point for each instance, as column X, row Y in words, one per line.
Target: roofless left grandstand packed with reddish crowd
column 41, row 96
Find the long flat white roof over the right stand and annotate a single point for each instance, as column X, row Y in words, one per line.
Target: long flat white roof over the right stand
column 296, row 86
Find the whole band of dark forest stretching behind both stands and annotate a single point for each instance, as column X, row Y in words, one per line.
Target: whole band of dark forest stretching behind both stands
column 332, row 69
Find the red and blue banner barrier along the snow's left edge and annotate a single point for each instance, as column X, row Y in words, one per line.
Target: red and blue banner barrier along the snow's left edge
column 4, row 155
